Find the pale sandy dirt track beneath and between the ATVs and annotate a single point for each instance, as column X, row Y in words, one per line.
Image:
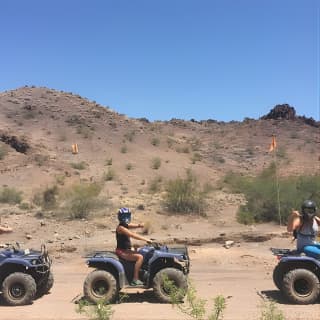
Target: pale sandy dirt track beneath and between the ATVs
column 242, row 274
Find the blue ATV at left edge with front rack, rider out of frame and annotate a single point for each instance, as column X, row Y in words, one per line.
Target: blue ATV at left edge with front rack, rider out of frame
column 24, row 275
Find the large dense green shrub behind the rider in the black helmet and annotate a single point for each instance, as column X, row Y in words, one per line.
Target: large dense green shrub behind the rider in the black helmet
column 261, row 193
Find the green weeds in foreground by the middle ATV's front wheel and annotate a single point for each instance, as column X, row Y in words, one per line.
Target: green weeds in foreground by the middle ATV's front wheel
column 194, row 306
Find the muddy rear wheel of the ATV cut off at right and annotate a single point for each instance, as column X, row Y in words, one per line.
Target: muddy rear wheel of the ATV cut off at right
column 301, row 286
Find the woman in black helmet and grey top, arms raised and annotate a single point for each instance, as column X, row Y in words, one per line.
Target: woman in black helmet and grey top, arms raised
column 305, row 227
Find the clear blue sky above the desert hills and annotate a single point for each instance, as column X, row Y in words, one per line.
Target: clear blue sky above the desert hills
column 163, row 59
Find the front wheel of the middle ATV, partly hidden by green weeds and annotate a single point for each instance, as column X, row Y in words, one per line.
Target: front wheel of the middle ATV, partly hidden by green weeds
column 161, row 284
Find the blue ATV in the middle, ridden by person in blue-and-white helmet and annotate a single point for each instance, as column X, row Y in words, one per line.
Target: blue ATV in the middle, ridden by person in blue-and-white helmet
column 112, row 273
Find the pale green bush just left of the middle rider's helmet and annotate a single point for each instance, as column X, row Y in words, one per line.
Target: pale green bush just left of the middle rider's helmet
column 81, row 199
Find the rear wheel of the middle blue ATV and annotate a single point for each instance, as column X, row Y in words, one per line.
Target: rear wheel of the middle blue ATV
column 100, row 285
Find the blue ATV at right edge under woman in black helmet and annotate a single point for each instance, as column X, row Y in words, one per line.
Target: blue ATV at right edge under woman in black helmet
column 297, row 276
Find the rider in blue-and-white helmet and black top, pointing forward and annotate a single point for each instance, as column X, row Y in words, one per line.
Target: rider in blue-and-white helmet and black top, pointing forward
column 124, row 247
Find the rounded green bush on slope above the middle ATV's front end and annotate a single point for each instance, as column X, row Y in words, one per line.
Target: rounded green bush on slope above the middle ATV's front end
column 185, row 195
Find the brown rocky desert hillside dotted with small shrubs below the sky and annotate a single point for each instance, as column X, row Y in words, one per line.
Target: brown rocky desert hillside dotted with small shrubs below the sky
column 38, row 127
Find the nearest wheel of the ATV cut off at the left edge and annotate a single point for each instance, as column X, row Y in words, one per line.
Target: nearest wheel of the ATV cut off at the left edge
column 19, row 289
